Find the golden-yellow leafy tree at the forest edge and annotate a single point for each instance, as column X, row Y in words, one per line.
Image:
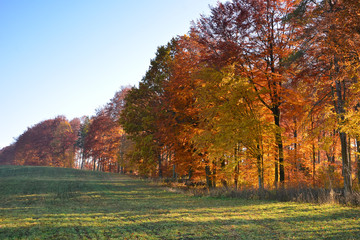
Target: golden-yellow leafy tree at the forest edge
column 232, row 128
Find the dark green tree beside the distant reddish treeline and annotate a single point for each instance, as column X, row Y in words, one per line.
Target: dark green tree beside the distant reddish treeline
column 143, row 113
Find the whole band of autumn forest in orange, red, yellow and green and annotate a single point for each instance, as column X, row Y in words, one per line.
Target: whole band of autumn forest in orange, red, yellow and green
column 258, row 95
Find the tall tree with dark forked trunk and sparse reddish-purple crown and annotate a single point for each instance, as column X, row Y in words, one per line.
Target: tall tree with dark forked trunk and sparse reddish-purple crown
column 253, row 36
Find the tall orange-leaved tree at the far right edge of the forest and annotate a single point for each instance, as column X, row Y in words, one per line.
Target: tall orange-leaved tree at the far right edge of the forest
column 330, row 40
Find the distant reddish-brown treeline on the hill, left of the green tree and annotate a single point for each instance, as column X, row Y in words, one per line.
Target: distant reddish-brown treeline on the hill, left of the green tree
column 97, row 142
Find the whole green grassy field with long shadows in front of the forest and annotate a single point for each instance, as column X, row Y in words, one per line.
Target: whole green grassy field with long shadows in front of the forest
column 57, row 203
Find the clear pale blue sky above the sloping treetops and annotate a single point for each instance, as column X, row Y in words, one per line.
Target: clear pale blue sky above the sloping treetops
column 69, row 57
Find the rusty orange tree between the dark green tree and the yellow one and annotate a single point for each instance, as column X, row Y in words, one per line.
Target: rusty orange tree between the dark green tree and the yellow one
column 181, row 121
